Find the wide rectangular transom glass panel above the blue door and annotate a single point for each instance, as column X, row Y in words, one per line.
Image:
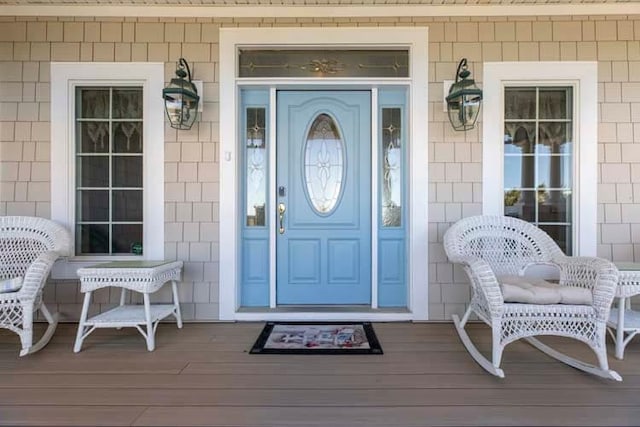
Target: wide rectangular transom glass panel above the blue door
column 323, row 63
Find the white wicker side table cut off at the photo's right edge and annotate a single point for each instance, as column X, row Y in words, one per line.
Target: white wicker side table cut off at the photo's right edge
column 625, row 321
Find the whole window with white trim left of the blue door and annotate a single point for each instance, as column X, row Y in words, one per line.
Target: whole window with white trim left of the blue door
column 107, row 158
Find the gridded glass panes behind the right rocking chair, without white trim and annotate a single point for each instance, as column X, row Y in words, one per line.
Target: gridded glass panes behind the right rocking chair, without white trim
column 538, row 159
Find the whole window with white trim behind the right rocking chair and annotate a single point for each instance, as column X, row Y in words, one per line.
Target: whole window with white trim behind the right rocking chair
column 540, row 148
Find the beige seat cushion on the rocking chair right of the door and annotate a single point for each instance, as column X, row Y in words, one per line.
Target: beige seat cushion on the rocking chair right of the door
column 531, row 290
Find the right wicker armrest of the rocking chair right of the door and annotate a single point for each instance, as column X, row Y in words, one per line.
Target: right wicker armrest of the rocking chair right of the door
column 597, row 274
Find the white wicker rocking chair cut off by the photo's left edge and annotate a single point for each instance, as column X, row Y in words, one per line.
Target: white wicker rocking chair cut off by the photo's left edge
column 28, row 248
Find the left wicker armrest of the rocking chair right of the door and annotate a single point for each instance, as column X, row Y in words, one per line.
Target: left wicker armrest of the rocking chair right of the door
column 485, row 284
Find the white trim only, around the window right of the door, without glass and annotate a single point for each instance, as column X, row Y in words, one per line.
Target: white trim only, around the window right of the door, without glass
column 583, row 77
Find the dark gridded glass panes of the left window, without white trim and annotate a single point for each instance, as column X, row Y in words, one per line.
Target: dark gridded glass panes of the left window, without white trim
column 109, row 170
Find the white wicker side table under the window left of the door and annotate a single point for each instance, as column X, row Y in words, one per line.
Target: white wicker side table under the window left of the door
column 145, row 277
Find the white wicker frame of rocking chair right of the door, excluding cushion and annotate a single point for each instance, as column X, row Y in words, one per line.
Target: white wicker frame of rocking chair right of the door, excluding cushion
column 490, row 246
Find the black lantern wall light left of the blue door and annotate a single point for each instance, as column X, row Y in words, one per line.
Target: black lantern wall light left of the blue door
column 181, row 98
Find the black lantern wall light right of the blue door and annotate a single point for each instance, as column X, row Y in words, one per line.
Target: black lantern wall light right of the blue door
column 464, row 99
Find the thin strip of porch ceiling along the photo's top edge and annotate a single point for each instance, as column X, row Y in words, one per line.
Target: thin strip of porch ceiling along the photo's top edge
column 308, row 2
